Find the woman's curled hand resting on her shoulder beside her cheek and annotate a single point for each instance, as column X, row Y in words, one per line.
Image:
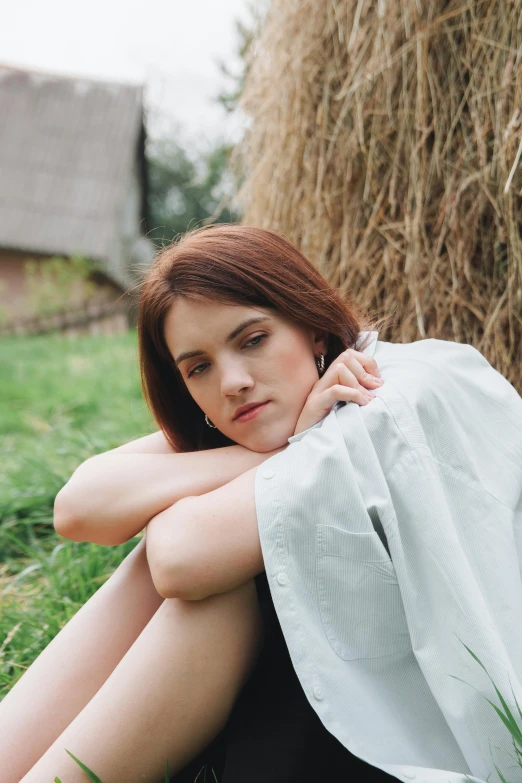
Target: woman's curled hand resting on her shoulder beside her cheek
column 344, row 380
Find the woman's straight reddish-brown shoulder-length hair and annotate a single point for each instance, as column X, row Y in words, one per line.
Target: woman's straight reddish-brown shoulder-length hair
column 232, row 264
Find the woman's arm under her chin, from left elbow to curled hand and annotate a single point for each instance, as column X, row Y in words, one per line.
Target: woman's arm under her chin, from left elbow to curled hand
column 112, row 496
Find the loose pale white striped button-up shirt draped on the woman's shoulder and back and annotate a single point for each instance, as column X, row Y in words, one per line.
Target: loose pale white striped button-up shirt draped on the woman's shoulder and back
column 392, row 537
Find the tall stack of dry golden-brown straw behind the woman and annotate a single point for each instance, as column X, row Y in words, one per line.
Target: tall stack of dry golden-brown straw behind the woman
column 384, row 140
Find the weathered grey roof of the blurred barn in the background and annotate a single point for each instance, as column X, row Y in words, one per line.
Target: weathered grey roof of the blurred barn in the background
column 67, row 149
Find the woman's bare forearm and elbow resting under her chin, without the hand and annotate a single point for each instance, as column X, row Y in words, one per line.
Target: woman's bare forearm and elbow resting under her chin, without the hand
column 112, row 496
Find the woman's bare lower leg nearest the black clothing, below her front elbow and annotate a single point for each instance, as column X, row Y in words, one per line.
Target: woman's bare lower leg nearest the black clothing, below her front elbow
column 170, row 695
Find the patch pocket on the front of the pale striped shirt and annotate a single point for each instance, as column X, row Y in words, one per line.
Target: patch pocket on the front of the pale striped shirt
column 358, row 594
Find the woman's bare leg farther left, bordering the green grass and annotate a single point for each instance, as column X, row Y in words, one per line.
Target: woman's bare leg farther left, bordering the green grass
column 72, row 668
